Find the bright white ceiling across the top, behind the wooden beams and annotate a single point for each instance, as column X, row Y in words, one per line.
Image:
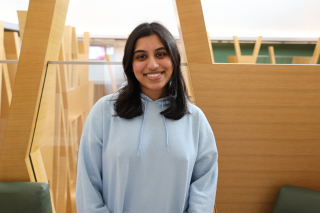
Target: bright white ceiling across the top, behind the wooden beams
column 273, row 19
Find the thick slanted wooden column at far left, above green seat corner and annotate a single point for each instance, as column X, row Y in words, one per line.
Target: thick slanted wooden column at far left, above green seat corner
column 40, row 44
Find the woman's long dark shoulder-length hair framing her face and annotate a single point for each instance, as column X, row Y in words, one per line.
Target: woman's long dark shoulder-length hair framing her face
column 128, row 104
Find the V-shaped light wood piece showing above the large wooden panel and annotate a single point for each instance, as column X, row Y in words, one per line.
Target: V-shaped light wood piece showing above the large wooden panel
column 248, row 59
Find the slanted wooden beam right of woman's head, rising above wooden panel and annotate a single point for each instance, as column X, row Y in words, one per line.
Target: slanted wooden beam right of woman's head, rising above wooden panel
column 192, row 31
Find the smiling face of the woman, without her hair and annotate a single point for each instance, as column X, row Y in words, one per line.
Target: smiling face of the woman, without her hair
column 152, row 66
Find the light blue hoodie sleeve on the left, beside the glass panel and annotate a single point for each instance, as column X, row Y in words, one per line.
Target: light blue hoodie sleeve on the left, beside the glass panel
column 89, row 189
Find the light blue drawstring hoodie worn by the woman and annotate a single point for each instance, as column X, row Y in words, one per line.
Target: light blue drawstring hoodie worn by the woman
column 148, row 164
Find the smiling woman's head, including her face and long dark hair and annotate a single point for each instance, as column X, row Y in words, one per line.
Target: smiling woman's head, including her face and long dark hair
column 151, row 49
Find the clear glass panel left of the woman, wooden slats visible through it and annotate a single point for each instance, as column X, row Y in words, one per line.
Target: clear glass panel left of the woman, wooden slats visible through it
column 69, row 93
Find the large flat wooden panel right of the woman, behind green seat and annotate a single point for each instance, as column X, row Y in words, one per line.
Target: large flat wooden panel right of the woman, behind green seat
column 266, row 121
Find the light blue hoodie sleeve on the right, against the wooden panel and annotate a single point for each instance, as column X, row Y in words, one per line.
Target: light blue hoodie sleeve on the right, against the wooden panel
column 204, row 178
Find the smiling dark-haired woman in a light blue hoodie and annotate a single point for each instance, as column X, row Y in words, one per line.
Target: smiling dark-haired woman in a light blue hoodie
column 145, row 149
